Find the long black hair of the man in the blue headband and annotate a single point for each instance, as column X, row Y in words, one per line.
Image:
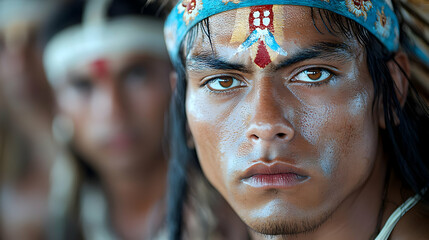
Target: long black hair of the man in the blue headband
column 404, row 142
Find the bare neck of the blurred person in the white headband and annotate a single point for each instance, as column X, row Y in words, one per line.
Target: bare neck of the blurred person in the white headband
column 134, row 197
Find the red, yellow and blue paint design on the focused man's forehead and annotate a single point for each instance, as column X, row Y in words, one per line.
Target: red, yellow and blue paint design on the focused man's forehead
column 261, row 33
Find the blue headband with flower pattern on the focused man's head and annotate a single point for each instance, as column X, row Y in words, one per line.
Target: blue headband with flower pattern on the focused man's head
column 377, row 16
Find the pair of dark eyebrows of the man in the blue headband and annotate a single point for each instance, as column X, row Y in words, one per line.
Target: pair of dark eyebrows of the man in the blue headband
column 325, row 50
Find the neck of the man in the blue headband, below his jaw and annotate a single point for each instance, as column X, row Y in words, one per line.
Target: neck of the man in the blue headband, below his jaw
column 356, row 217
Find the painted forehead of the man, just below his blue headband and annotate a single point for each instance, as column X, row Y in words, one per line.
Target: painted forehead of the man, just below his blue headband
column 292, row 27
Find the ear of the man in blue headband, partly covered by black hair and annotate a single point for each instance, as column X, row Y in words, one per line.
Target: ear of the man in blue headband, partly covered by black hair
column 399, row 69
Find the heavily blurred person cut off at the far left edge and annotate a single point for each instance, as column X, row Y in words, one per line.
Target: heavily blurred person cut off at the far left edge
column 26, row 146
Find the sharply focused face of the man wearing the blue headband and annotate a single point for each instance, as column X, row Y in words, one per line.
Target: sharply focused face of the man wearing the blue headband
column 285, row 133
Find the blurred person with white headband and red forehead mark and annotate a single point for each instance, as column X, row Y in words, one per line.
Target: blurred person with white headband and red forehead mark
column 107, row 64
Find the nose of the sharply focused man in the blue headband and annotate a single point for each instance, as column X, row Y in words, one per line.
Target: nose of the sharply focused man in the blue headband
column 269, row 122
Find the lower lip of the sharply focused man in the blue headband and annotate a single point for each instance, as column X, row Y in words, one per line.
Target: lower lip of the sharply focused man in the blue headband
column 281, row 180
